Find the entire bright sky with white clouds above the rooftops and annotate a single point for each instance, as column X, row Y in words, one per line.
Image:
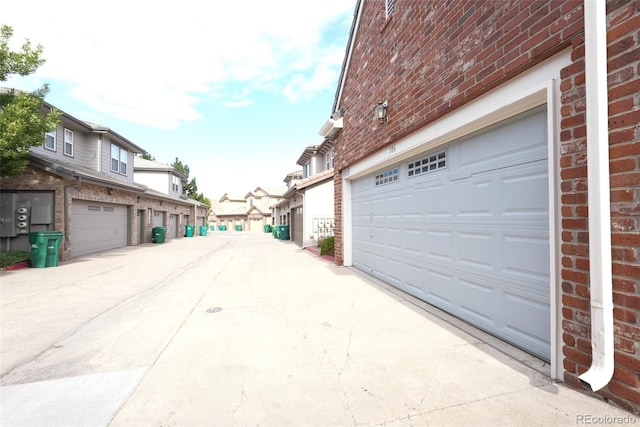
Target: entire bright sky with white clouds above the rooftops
column 235, row 89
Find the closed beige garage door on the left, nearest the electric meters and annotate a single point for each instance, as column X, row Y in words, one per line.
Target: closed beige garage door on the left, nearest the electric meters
column 97, row 227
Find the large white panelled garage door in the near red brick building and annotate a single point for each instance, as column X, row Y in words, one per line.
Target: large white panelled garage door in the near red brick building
column 465, row 227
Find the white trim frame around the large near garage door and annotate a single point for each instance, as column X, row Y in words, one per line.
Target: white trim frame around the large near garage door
column 533, row 88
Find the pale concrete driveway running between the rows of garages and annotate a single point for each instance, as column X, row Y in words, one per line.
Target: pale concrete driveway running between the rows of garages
column 240, row 329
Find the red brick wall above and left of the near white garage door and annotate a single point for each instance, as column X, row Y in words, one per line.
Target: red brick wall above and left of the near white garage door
column 431, row 58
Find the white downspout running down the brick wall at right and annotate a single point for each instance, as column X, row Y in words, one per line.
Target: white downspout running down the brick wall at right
column 602, row 343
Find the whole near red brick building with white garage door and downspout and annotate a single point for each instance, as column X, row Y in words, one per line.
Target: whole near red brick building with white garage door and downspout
column 470, row 190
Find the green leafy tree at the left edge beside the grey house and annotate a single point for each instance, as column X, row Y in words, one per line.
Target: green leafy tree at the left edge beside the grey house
column 22, row 121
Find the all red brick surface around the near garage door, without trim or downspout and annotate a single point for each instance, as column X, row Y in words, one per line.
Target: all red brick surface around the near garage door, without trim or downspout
column 431, row 58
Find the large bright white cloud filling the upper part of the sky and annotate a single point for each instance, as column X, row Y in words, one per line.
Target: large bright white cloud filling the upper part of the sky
column 150, row 62
